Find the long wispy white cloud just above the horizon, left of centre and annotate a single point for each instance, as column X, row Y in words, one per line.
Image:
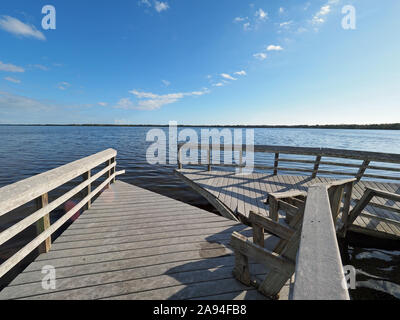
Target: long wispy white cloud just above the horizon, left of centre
column 152, row 101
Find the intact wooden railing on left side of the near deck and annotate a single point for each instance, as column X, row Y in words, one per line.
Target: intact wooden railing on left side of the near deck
column 37, row 188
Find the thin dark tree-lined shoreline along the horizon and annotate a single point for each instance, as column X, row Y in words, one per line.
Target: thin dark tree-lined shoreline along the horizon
column 385, row 126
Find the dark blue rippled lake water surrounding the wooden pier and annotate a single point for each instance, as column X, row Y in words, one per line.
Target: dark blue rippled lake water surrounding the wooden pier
column 26, row 151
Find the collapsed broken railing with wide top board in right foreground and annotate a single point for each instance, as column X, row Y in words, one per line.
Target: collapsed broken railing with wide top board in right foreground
column 307, row 244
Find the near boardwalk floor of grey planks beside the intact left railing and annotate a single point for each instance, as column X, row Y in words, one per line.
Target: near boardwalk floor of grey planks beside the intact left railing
column 136, row 244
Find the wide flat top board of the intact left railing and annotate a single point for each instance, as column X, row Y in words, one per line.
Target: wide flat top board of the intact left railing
column 19, row 193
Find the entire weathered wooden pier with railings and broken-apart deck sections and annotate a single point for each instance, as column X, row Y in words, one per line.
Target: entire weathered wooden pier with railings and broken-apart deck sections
column 276, row 237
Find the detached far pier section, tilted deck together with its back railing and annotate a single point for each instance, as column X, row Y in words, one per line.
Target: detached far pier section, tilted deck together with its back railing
column 235, row 194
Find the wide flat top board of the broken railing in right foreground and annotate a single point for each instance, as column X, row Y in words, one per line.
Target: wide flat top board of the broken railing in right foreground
column 319, row 270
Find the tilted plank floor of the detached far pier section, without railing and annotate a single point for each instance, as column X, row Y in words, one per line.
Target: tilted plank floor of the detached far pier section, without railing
column 235, row 195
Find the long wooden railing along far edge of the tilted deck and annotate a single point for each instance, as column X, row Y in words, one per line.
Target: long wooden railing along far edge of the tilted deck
column 364, row 157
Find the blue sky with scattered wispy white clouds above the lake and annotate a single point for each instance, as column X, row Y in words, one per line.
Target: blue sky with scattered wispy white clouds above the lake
column 200, row 62
